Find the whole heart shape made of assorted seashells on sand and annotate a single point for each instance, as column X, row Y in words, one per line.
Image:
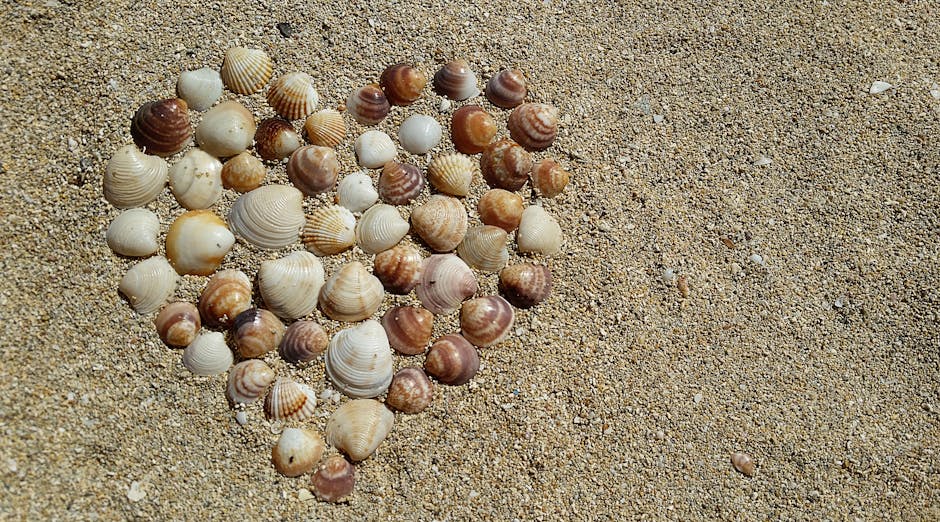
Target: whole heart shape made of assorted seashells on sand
column 358, row 359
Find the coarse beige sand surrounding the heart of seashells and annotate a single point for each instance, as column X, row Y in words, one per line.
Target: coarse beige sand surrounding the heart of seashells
column 618, row 398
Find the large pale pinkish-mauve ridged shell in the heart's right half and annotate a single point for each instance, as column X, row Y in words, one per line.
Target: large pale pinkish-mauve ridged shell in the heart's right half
column 446, row 281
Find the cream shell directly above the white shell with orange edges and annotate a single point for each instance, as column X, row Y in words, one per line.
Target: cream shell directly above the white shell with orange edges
column 196, row 180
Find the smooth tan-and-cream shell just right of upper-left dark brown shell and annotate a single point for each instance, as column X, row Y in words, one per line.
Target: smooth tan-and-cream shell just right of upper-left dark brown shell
column 226, row 129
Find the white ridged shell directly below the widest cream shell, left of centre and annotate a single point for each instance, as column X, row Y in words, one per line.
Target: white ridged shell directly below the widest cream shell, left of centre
column 290, row 285
